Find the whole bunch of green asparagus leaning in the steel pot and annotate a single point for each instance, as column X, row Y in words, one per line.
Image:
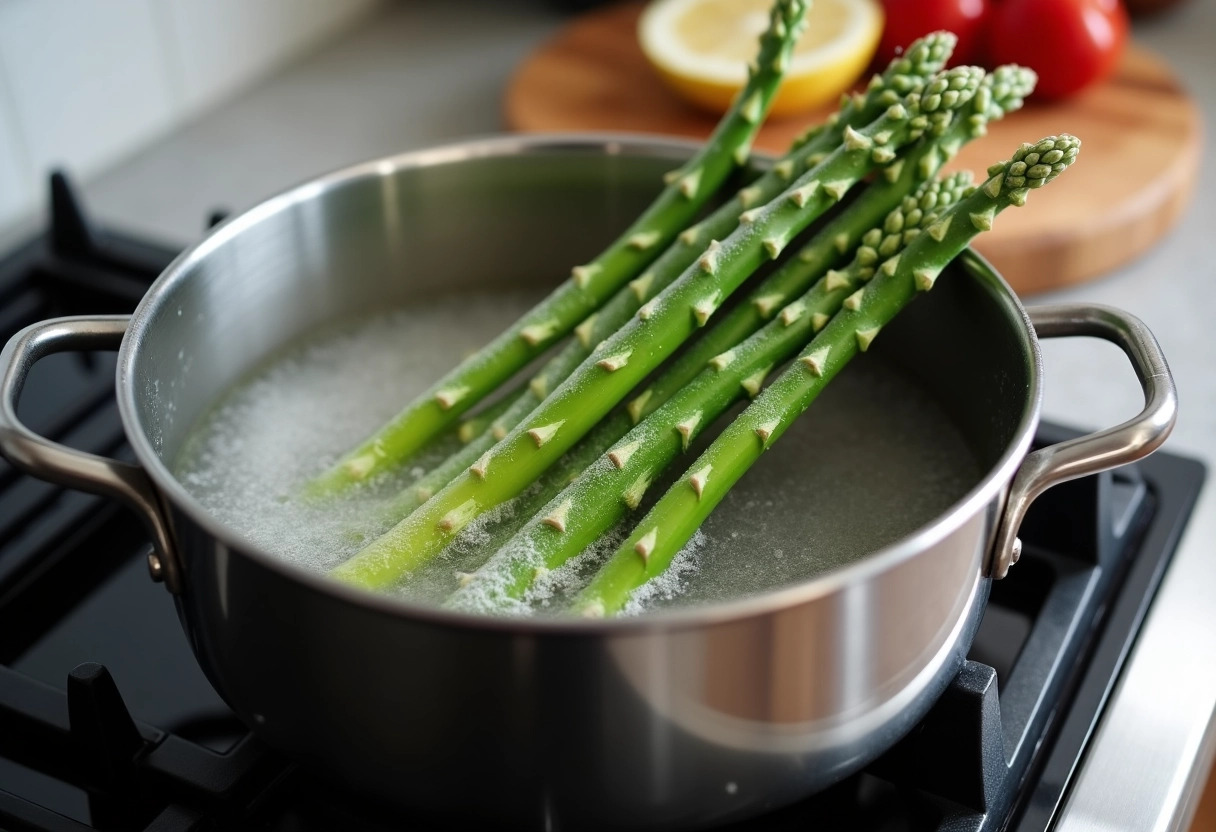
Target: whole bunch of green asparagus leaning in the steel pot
column 572, row 464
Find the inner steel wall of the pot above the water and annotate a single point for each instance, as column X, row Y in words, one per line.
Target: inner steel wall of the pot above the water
column 515, row 216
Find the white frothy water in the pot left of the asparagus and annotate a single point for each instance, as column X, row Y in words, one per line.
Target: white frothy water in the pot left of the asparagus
column 306, row 407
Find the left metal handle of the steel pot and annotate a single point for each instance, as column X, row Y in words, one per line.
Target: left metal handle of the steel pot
column 59, row 464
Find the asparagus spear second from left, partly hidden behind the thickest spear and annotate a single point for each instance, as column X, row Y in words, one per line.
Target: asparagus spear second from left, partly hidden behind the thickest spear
column 905, row 75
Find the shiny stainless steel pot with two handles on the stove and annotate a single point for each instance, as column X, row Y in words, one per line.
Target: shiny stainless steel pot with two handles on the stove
column 680, row 719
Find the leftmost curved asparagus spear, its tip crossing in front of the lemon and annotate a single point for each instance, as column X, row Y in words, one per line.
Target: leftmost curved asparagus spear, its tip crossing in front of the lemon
column 590, row 285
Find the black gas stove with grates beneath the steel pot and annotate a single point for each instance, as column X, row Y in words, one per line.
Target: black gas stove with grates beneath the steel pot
column 106, row 722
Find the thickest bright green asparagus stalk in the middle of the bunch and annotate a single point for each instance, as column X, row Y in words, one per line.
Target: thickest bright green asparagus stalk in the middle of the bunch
column 661, row 325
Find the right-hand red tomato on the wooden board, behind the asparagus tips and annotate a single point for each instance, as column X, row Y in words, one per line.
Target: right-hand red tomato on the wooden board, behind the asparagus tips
column 1072, row 44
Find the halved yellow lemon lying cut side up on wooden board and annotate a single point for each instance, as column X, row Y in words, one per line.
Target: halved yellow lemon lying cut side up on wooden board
column 701, row 48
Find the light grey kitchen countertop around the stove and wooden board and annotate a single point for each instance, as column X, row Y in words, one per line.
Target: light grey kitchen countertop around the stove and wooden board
column 431, row 72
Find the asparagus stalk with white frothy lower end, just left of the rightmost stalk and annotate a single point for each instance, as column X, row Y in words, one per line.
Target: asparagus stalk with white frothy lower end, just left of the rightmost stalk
column 615, row 484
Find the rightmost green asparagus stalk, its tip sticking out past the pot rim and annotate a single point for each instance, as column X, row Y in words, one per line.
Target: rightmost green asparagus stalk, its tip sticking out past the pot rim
column 674, row 519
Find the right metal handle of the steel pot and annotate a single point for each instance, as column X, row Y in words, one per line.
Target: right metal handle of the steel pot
column 1125, row 443
